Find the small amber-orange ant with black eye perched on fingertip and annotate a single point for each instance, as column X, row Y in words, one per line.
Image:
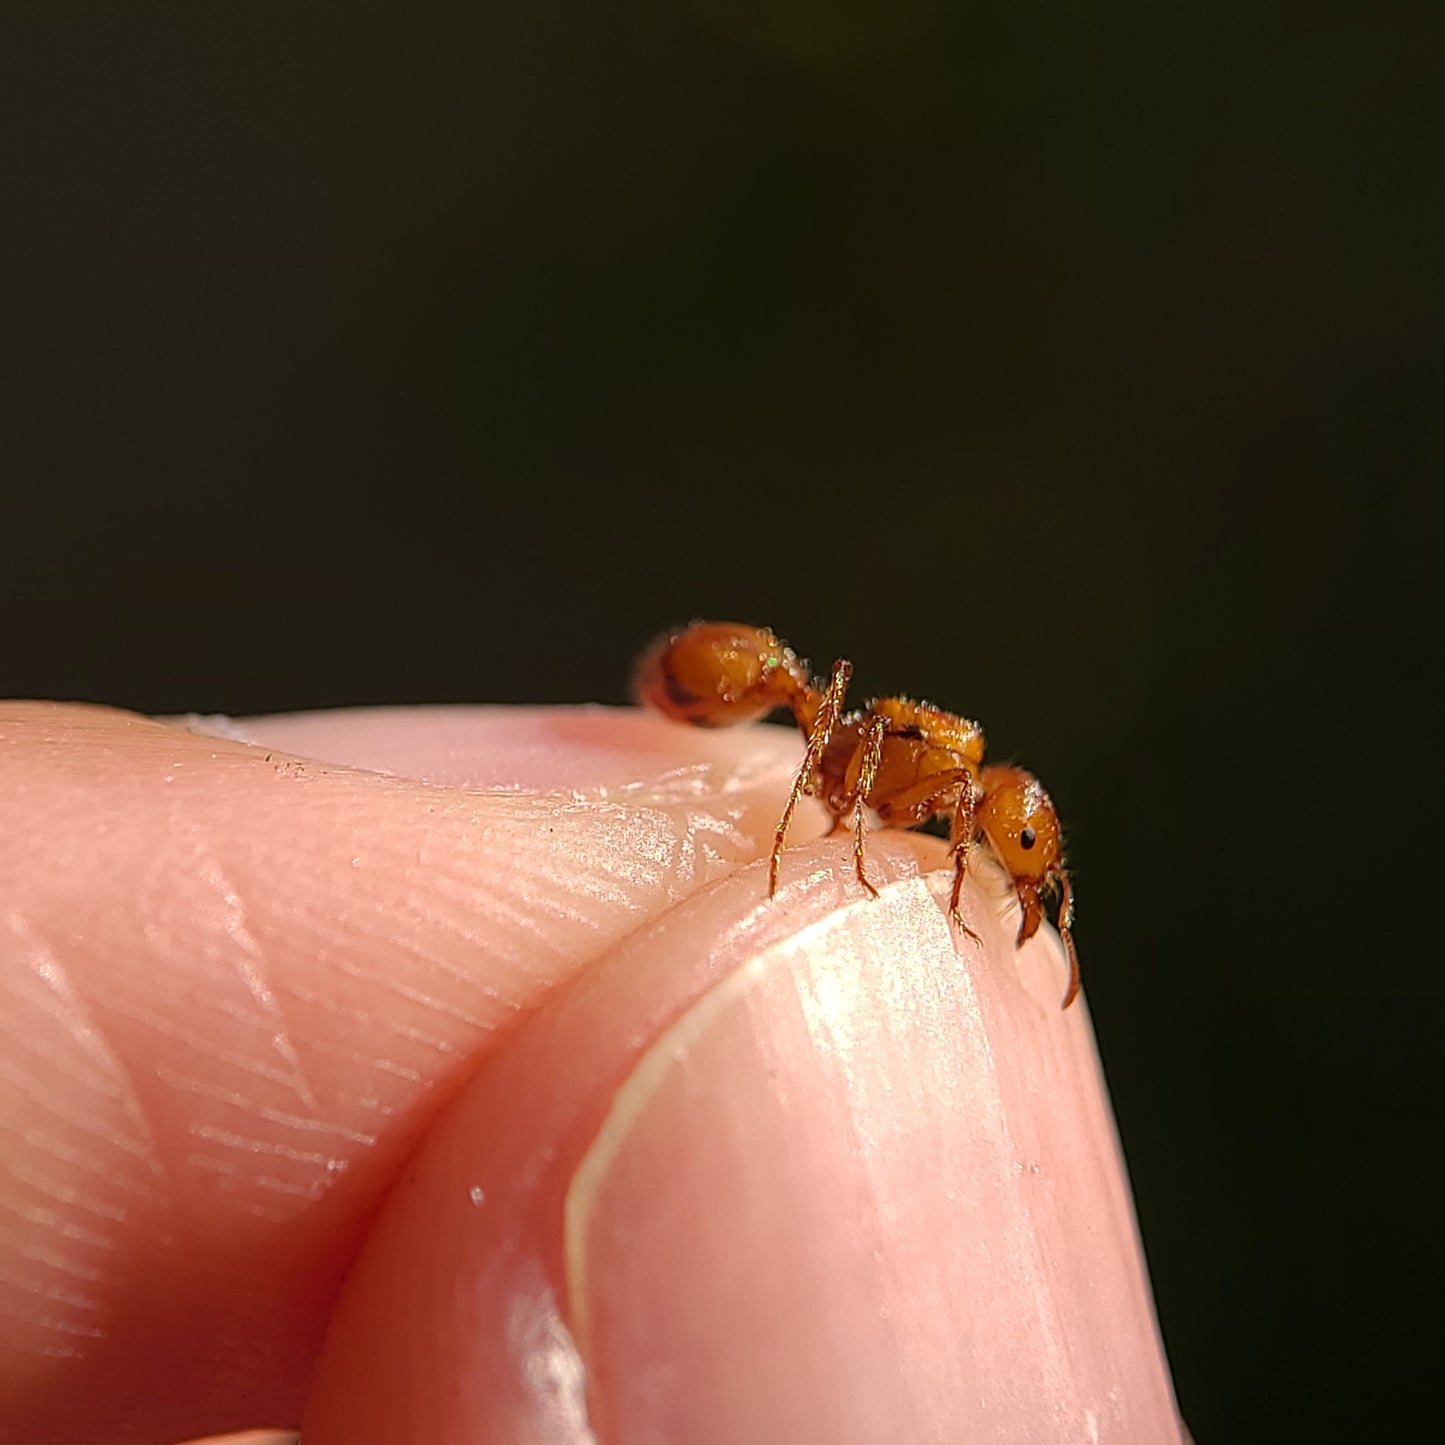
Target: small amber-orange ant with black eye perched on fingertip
column 905, row 762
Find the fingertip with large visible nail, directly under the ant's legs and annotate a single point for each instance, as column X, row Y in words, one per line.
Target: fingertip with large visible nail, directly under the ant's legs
column 810, row 1171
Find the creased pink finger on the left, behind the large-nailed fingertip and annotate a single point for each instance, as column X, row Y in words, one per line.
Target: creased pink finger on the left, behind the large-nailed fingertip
column 238, row 983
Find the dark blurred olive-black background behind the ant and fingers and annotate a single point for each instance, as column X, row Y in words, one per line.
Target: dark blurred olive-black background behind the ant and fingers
column 1074, row 366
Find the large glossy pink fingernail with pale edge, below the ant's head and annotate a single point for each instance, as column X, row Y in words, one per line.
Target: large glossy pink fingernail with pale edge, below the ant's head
column 859, row 1194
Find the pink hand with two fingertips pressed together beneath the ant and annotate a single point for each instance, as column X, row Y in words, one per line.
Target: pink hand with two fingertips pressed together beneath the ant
column 466, row 1087
